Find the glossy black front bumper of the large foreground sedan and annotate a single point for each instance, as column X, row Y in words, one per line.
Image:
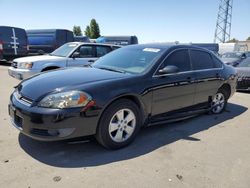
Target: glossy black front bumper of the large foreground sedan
column 51, row 124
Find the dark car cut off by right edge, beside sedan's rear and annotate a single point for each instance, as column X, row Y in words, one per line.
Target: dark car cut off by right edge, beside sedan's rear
column 243, row 70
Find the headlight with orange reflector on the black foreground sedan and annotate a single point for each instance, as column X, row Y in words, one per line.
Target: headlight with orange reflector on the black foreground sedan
column 70, row 99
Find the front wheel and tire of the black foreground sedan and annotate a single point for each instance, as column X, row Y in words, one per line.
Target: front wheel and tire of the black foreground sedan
column 119, row 124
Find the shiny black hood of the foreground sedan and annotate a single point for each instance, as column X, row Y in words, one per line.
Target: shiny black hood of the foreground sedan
column 62, row 80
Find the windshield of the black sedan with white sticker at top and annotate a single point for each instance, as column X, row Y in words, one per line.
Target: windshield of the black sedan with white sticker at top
column 131, row 60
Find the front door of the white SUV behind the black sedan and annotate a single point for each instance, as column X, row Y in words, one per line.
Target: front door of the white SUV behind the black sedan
column 85, row 55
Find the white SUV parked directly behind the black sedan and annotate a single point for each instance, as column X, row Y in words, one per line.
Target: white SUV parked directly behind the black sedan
column 69, row 55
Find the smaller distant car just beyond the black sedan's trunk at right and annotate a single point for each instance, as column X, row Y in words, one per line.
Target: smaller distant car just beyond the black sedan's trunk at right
column 233, row 58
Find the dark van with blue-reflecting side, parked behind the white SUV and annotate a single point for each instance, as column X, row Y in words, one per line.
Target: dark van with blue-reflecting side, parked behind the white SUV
column 43, row 41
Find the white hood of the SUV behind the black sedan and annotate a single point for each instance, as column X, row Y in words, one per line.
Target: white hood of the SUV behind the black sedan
column 38, row 58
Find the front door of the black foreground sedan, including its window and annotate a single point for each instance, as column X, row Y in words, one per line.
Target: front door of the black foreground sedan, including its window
column 174, row 91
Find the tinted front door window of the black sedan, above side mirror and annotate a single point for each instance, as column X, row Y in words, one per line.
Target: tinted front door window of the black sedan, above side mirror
column 179, row 59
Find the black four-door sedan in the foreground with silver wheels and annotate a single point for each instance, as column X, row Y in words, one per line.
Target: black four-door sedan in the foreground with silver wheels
column 135, row 86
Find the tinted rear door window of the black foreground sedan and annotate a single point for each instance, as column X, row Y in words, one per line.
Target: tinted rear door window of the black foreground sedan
column 201, row 60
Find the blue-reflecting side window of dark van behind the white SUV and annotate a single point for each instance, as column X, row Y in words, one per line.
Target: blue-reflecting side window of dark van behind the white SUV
column 41, row 39
